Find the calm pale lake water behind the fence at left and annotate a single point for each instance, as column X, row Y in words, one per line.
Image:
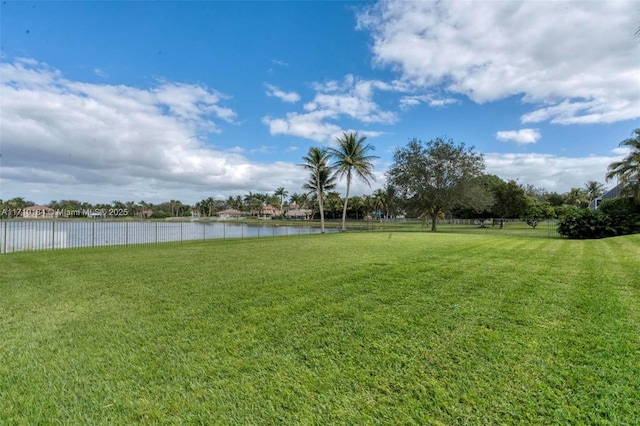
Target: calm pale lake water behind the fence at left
column 50, row 235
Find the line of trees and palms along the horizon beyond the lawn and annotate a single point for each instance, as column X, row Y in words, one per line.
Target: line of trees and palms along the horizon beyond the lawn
column 431, row 180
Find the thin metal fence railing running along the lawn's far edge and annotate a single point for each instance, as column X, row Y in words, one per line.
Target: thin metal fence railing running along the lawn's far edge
column 39, row 234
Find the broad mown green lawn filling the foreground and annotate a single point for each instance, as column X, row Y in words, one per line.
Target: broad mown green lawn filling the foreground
column 364, row 328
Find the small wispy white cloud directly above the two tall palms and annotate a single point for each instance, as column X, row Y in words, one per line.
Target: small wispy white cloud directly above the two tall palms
column 351, row 97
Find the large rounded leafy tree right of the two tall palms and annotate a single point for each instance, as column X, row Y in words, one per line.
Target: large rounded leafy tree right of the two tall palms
column 438, row 176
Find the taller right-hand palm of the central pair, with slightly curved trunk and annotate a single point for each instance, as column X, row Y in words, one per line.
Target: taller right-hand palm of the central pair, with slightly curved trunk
column 351, row 157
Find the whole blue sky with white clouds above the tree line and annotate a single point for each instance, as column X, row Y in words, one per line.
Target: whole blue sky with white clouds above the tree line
column 153, row 101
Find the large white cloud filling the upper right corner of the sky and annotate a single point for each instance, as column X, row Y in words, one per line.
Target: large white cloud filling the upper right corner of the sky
column 577, row 62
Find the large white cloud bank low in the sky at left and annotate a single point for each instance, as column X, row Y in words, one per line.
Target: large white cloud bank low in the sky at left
column 74, row 140
